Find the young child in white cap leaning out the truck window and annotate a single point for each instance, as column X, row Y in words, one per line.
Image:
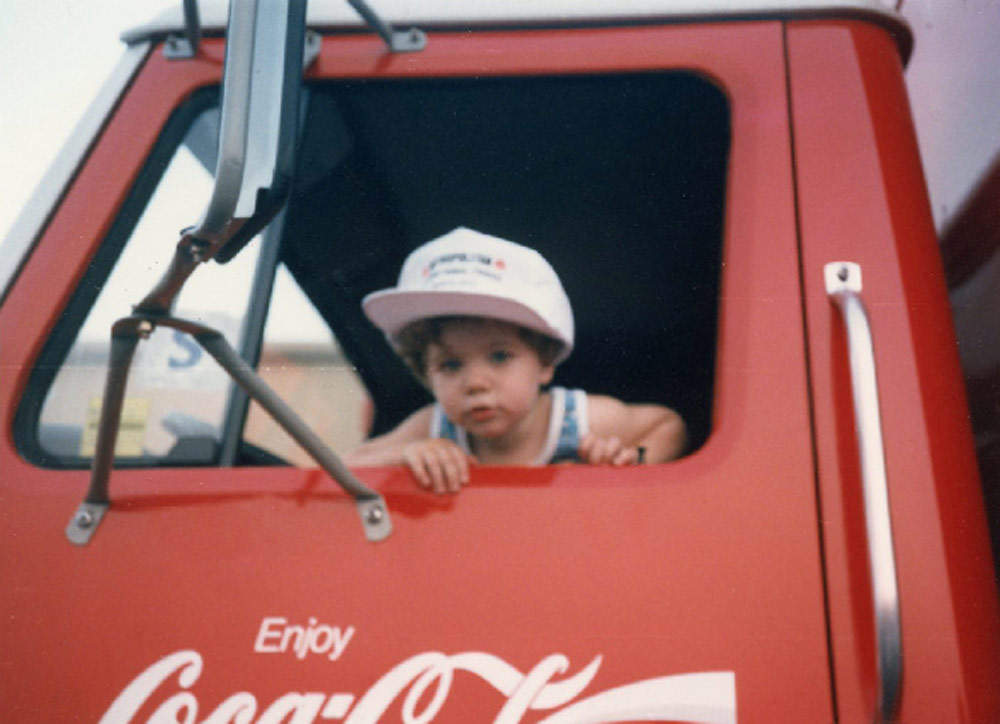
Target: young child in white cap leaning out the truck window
column 484, row 322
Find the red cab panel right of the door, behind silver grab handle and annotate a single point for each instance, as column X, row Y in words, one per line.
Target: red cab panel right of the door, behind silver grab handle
column 862, row 199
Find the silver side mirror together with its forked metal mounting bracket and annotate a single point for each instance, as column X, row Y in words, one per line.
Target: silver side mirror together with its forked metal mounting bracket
column 265, row 48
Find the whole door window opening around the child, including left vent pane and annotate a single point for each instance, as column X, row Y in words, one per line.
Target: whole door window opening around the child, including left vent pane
column 618, row 180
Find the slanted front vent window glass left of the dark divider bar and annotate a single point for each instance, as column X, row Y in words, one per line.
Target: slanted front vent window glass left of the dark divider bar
column 177, row 394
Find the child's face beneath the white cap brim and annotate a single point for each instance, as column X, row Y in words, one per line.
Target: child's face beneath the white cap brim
column 485, row 376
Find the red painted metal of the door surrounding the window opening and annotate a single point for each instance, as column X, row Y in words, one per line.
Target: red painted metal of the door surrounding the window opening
column 708, row 568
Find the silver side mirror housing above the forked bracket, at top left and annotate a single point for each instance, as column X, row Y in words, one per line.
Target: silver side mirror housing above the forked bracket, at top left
column 257, row 135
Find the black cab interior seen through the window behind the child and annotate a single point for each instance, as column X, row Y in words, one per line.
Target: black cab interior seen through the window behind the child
column 618, row 180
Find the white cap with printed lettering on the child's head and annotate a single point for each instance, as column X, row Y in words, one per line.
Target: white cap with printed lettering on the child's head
column 468, row 273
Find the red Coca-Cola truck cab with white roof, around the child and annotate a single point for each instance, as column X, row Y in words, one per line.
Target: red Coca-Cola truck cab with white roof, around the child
column 733, row 197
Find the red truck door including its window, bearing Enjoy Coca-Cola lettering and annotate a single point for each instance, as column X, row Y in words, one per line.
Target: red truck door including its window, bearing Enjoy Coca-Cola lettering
column 653, row 166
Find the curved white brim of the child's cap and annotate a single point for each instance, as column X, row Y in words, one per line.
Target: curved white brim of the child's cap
column 391, row 310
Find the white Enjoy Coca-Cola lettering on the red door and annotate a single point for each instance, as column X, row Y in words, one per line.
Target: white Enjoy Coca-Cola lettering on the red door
column 426, row 679
